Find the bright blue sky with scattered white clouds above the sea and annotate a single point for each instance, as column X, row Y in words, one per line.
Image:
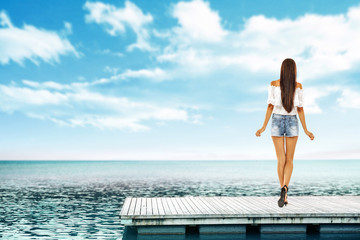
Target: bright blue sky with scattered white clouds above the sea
column 173, row 80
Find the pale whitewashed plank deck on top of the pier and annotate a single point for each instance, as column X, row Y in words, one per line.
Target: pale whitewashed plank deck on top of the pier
column 262, row 209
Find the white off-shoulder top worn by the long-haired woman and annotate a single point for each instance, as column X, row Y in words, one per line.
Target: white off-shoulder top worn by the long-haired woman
column 274, row 98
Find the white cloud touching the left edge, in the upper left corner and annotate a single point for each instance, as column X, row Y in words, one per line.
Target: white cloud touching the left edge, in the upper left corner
column 29, row 42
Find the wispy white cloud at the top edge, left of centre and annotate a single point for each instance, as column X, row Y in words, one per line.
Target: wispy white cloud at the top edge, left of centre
column 116, row 19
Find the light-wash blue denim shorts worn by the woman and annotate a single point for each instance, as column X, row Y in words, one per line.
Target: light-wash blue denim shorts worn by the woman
column 284, row 124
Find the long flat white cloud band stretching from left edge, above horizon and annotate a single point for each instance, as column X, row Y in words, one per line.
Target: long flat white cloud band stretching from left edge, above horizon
column 75, row 105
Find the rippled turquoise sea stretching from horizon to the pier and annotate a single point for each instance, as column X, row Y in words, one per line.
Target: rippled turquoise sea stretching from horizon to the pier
column 82, row 199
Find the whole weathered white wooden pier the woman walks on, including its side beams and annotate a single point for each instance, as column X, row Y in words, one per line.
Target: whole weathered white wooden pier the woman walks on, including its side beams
column 171, row 215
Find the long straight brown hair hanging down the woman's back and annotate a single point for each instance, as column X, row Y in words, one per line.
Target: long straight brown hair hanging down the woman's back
column 288, row 83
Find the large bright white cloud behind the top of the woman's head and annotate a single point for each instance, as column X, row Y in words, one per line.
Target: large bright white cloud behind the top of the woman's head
column 321, row 44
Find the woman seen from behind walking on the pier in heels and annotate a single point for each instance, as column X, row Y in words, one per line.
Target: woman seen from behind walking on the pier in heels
column 285, row 101
